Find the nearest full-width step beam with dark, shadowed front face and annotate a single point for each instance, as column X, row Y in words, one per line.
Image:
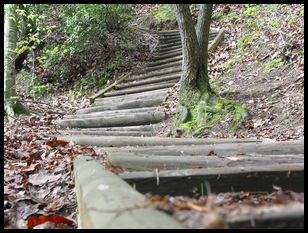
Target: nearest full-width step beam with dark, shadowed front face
column 189, row 181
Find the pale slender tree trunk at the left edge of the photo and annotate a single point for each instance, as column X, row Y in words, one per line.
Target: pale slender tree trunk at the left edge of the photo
column 11, row 106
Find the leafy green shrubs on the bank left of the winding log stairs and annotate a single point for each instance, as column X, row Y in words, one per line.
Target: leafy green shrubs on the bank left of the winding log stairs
column 72, row 33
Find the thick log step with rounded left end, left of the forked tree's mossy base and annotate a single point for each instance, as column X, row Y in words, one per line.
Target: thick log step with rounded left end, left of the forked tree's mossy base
column 108, row 121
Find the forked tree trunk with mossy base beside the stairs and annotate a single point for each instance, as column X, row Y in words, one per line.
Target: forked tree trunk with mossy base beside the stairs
column 194, row 83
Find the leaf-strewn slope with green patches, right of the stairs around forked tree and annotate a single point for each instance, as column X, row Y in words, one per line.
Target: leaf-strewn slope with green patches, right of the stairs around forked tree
column 253, row 68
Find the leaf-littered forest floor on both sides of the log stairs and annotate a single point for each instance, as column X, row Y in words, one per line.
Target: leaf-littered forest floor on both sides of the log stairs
column 251, row 66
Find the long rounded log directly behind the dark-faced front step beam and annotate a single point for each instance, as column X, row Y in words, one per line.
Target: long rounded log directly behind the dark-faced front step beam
column 146, row 162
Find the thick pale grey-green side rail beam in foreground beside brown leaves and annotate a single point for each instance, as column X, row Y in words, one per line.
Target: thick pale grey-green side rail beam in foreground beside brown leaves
column 107, row 202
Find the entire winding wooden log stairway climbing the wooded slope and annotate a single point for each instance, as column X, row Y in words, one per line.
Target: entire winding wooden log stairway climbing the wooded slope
column 123, row 122
